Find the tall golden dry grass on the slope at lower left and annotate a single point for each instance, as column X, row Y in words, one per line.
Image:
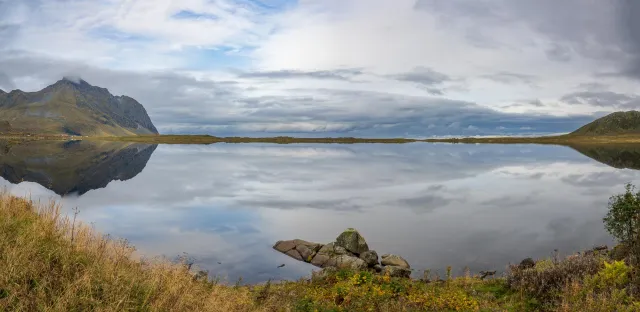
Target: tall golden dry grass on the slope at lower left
column 48, row 264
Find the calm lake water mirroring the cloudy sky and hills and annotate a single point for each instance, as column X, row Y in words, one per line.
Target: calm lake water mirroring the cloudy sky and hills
column 224, row 205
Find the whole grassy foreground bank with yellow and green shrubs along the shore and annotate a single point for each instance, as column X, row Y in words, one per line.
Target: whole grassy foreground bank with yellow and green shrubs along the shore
column 50, row 263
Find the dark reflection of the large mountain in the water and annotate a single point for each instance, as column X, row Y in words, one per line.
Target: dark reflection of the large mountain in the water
column 73, row 167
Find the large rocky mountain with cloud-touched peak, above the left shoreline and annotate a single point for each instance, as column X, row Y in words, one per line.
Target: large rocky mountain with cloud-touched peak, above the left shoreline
column 73, row 106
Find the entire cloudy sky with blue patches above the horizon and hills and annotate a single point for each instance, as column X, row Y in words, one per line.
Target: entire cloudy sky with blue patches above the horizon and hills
column 412, row 68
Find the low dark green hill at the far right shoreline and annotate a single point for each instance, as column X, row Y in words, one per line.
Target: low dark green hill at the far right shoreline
column 613, row 124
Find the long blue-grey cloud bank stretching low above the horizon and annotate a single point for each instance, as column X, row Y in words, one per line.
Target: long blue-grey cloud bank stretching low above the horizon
column 179, row 103
